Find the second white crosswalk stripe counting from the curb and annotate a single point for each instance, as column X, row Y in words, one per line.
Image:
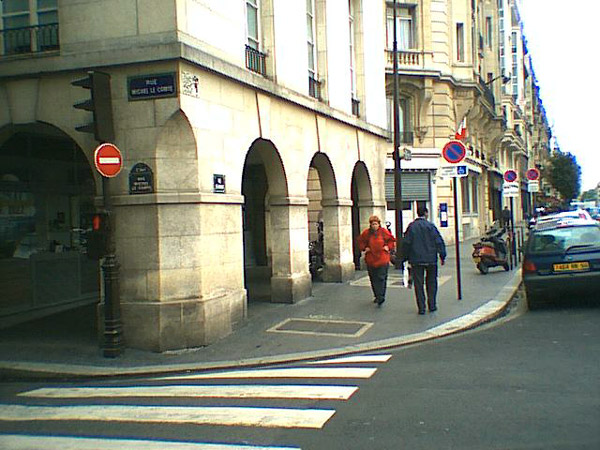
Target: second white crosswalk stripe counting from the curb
column 291, row 372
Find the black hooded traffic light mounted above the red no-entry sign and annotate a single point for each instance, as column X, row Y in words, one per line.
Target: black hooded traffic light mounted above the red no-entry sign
column 100, row 104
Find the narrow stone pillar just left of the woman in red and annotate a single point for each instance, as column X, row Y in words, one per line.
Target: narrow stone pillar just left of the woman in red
column 337, row 239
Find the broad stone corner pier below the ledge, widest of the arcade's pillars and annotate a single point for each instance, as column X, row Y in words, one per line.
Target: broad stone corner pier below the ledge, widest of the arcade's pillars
column 181, row 272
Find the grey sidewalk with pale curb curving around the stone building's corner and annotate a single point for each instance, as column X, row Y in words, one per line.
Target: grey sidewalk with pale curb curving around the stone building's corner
column 340, row 318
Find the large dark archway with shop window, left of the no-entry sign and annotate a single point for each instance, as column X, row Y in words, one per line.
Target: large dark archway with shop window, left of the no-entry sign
column 47, row 191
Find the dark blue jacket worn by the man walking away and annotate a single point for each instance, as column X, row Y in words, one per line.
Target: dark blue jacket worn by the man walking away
column 423, row 242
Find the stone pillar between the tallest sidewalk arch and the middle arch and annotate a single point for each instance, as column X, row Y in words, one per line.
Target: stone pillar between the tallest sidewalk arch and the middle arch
column 290, row 279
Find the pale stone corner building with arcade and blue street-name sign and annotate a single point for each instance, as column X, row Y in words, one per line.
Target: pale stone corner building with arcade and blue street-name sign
column 231, row 105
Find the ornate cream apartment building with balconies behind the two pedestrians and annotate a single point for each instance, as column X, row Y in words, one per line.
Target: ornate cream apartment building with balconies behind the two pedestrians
column 464, row 73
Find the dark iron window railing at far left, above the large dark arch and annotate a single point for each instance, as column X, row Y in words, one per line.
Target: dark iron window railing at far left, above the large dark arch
column 34, row 39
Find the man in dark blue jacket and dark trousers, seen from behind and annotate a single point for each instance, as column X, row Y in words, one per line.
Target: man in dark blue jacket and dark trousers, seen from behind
column 422, row 245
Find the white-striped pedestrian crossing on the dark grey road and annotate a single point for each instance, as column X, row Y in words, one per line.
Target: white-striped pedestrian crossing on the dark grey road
column 318, row 384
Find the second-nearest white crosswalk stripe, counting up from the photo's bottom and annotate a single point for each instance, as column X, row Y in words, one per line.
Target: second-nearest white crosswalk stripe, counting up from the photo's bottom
column 199, row 415
